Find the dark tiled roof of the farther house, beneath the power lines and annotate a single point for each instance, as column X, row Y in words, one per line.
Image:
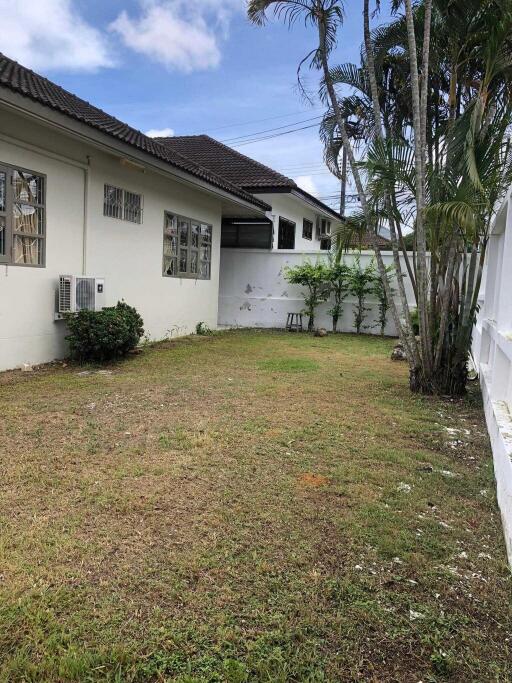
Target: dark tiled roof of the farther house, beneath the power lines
column 239, row 169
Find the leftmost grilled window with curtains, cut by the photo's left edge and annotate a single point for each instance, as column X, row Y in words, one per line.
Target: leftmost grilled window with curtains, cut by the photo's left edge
column 22, row 217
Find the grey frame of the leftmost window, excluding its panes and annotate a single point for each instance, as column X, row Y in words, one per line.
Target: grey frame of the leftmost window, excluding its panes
column 10, row 233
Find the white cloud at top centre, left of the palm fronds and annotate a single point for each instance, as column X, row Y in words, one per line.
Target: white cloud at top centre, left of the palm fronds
column 185, row 35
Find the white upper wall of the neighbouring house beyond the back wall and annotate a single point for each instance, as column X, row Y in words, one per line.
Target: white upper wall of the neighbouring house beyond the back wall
column 294, row 209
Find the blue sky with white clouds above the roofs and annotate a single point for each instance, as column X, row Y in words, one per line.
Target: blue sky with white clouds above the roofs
column 191, row 66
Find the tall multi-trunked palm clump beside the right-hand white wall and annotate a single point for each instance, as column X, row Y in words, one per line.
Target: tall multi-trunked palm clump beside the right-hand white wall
column 430, row 113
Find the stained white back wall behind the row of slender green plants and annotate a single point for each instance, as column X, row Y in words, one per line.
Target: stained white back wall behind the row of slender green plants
column 254, row 292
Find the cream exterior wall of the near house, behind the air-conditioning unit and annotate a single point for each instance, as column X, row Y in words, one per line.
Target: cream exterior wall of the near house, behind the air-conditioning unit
column 127, row 255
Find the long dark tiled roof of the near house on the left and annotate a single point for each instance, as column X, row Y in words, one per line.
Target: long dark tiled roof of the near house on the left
column 25, row 82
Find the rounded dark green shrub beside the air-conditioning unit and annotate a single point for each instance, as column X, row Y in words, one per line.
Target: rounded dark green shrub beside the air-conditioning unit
column 104, row 335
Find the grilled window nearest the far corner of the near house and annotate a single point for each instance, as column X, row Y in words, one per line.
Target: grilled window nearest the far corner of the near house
column 187, row 247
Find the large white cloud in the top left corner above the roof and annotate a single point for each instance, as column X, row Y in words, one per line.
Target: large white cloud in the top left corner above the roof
column 50, row 34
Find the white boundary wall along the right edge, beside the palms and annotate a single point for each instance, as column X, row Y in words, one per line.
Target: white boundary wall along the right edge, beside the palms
column 492, row 352
